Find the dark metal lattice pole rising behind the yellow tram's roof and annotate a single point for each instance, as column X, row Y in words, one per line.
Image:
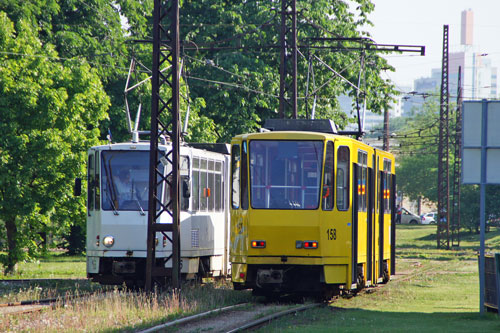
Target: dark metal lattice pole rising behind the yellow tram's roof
column 288, row 61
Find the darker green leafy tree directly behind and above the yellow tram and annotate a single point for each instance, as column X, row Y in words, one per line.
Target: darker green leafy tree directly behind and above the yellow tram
column 241, row 86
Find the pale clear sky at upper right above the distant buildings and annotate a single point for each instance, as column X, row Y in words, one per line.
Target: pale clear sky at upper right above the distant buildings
column 420, row 22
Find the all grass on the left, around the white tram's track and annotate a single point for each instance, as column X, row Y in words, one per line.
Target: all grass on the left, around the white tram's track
column 122, row 311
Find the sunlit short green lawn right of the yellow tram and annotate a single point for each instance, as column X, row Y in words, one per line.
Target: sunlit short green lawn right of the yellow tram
column 434, row 291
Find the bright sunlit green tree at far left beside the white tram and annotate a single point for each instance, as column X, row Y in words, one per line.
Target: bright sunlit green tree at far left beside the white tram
column 51, row 109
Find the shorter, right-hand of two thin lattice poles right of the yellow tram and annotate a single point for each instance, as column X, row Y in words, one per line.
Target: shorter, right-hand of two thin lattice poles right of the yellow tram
column 457, row 168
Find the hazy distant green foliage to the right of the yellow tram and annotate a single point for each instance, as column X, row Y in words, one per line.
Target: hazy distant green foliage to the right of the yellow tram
column 417, row 167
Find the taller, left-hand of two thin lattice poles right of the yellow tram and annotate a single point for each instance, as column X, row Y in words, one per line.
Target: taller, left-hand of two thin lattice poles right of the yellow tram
column 443, row 222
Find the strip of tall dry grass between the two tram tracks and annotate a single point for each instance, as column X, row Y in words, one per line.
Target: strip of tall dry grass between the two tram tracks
column 123, row 311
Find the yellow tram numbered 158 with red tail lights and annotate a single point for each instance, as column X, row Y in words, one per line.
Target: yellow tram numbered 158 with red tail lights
column 312, row 211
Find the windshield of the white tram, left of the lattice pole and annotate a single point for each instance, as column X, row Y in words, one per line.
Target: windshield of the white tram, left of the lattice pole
column 125, row 180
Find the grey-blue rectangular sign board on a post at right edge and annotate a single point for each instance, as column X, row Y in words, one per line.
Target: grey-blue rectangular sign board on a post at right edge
column 481, row 142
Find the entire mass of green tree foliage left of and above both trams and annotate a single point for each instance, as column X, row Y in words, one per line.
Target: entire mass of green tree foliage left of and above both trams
column 63, row 69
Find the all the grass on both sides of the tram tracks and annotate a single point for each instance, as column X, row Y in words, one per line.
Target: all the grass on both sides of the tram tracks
column 434, row 290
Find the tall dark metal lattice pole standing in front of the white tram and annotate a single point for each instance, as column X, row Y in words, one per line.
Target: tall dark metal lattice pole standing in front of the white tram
column 165, row 122
